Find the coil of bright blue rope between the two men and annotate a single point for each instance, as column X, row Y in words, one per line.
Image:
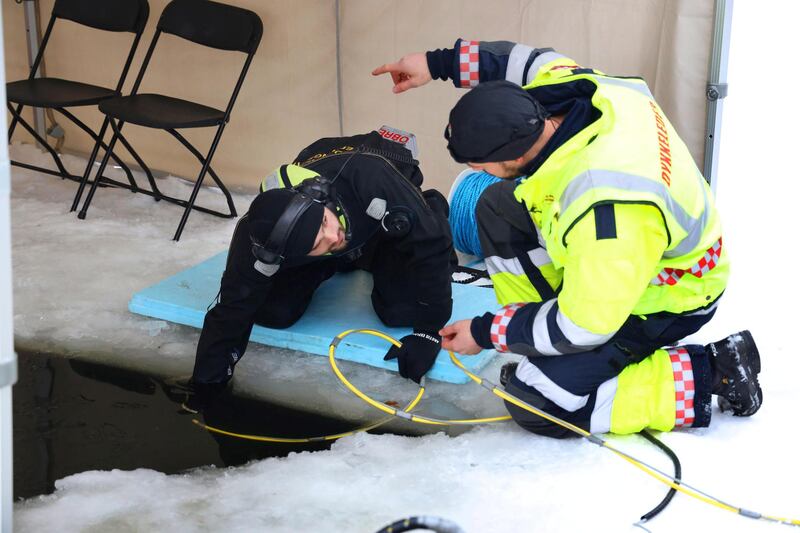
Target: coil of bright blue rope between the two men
column 463, row 201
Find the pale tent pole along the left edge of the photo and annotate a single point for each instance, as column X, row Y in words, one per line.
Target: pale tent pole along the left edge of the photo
column 8, row 359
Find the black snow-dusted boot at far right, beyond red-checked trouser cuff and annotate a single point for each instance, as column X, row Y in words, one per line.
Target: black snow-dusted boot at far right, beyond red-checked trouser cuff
column 736, row 363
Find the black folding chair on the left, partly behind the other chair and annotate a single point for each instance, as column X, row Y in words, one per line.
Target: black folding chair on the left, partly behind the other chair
column 55, row 93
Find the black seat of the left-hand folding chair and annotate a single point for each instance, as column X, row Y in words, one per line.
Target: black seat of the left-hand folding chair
column 55, row 92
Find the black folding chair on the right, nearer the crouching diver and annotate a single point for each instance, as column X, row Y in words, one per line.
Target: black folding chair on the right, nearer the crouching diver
column 204, row 22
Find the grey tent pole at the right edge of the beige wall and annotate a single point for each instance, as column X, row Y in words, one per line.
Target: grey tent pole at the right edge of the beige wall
column 717, row 88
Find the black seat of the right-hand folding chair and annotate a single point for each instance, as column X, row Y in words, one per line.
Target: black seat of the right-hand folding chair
column 163, row 112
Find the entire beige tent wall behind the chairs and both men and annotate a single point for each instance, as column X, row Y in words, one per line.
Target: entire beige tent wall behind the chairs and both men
column 291, row 95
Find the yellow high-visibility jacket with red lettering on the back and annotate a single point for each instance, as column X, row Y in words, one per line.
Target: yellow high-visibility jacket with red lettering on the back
column 625, row 215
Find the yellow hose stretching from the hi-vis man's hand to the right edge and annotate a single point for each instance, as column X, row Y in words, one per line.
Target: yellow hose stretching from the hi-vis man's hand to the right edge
column 667, row 480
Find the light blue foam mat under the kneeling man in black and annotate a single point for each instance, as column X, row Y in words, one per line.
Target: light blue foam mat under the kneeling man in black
column 341, row 303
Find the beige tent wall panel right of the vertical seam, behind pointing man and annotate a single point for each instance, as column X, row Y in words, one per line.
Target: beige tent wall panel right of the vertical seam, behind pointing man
column 665, row 41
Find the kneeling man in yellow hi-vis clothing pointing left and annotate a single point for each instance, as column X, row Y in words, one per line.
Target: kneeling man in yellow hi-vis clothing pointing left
column 609, row 248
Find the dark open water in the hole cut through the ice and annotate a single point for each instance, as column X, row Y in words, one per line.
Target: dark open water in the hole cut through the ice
column 72, row 416
